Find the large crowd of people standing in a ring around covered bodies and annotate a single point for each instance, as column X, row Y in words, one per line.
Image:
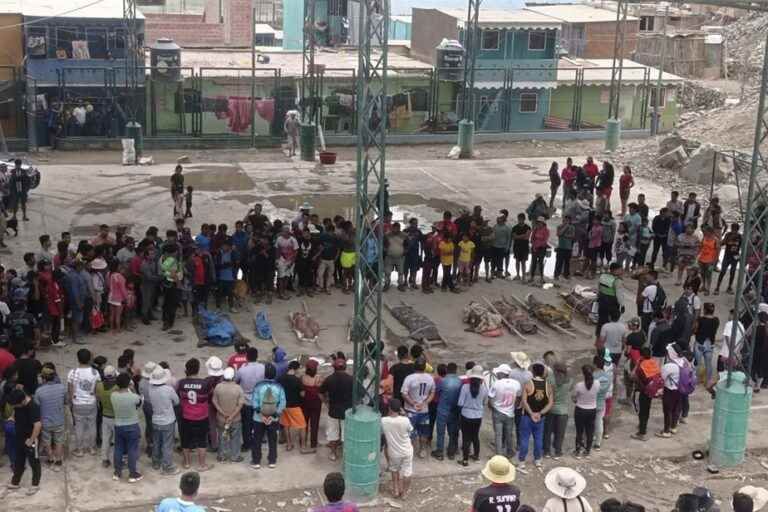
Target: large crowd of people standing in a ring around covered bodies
column 429, row 408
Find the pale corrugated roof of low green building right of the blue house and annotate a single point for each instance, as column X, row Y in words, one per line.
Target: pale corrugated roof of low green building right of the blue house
column 598, row 71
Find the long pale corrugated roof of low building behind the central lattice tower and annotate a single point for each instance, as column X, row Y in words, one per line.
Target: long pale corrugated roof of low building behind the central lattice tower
column 289, row 62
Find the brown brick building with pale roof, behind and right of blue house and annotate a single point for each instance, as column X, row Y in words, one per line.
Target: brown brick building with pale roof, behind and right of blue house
column 588, row 31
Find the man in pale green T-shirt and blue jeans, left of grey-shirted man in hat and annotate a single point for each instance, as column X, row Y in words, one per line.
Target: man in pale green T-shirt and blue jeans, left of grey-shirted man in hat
column 126, row 405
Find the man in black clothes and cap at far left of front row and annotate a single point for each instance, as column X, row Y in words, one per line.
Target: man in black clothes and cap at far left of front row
column 28, row 427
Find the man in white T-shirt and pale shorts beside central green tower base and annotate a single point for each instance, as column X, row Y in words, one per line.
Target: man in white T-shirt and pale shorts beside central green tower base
column 397, row 430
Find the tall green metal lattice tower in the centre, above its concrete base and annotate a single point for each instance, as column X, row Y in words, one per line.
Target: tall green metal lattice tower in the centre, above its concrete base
column 371, row 150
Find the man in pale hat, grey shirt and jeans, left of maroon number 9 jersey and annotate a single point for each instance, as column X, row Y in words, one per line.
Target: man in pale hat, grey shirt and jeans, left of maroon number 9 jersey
column 163, row 399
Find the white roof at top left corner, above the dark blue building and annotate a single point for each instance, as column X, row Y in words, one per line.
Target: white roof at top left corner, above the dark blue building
column 104, row 9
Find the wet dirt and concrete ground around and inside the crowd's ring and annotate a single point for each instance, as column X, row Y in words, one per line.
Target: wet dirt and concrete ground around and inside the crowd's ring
column 80, row 191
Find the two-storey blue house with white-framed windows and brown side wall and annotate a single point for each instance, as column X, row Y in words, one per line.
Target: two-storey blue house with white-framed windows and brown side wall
column 516, row 66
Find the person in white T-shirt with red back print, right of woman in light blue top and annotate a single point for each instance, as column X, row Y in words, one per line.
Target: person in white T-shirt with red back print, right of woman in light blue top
column 503, row 394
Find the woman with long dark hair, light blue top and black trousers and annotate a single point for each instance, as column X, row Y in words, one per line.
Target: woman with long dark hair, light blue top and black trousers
column 472, row 400
